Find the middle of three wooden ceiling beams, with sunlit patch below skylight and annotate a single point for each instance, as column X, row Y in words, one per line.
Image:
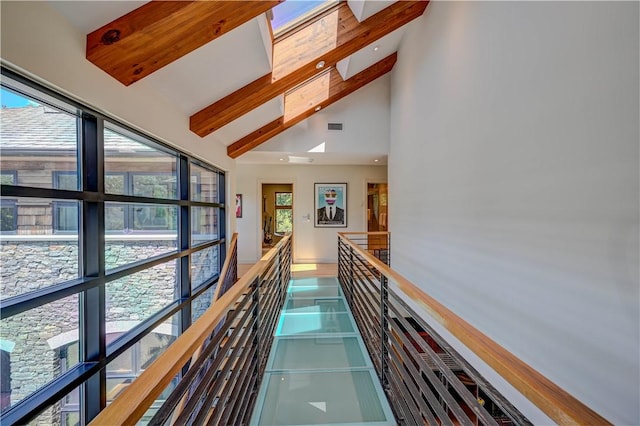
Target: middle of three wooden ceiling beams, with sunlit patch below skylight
column 350, row 37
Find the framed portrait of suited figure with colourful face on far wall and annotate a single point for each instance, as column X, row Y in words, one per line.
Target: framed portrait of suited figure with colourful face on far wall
column 330, row 205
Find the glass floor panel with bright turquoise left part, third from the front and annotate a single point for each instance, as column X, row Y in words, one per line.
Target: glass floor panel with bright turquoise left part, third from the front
column 315, row 323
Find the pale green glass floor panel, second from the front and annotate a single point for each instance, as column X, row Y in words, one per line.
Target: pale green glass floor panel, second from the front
column 317, row 353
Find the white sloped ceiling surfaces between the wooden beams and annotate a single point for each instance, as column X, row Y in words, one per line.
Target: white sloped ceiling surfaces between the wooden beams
column 243, row 55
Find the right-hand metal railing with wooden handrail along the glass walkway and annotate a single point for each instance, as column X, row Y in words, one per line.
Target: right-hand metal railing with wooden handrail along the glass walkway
column 425, row 379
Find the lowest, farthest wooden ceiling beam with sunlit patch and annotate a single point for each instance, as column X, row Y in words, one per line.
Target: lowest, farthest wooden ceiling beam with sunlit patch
column 336, row 89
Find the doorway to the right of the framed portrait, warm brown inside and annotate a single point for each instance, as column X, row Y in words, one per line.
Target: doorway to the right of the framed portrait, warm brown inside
column 377, row 217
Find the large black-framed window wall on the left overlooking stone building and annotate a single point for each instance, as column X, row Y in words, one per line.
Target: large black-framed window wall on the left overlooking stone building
column 111, row 245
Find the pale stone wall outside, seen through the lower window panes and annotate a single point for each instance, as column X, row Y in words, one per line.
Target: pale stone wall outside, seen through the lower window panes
column 29, row 265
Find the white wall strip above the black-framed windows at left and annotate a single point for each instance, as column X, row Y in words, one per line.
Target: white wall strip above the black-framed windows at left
column 38, row 40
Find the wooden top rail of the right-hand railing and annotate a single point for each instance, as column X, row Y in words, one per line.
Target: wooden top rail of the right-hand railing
column 558, row 404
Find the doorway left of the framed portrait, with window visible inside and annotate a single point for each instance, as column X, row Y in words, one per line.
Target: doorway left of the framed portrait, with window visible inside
column 277, row 213
